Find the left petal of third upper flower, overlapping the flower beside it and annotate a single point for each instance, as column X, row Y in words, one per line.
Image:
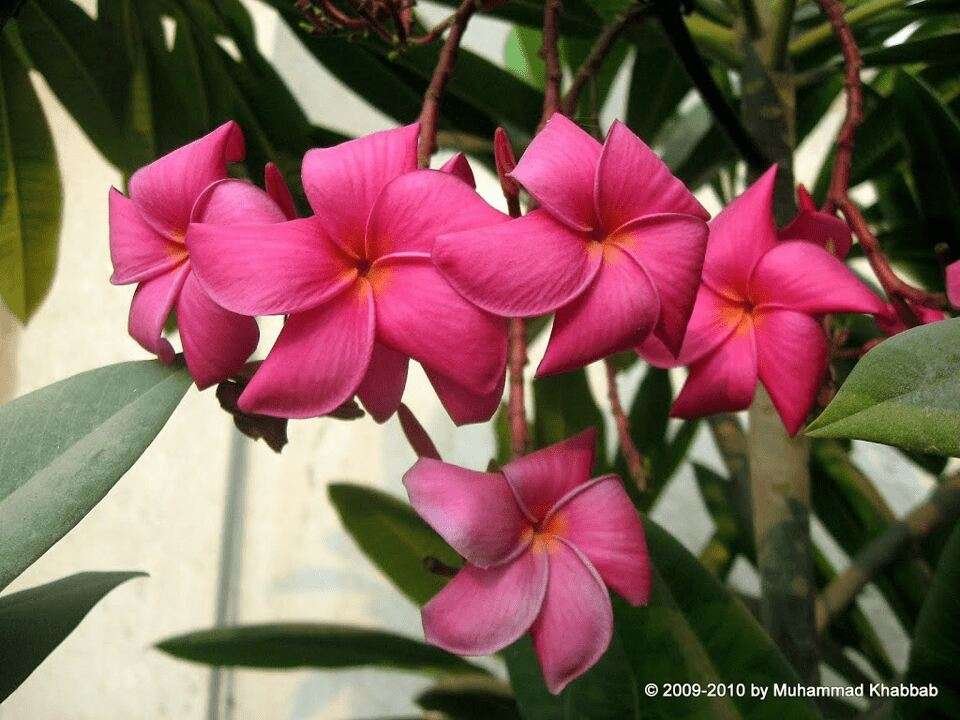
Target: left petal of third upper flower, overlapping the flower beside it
column 526, row 267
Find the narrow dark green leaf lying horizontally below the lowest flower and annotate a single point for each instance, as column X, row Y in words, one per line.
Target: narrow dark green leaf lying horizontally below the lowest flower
column 327, row 646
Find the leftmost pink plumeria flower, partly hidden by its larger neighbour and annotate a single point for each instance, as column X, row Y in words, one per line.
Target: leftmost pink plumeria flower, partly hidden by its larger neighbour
column 148, row 246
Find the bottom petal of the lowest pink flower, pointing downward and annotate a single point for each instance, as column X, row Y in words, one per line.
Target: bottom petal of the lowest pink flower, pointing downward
column 575, row 626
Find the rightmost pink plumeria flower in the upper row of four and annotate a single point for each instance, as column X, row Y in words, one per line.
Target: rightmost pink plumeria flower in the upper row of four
column 757, row 315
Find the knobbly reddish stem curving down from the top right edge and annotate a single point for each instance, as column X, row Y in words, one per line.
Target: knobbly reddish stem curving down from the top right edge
column 898, row 291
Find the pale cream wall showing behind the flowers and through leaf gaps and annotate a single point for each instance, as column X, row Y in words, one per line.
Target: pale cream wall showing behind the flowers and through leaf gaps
column 229, row 531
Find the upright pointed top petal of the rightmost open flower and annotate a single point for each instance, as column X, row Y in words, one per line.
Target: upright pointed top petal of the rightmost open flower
column 740, row 236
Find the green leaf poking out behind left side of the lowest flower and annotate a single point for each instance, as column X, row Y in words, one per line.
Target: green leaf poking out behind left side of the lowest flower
column 393, row 537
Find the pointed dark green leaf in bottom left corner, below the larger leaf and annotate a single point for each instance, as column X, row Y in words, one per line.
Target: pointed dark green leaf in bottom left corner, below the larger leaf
column 34, row 622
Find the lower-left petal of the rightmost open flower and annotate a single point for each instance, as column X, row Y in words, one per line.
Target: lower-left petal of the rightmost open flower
column 722, row 381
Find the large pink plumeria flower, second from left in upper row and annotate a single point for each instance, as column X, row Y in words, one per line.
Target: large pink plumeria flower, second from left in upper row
column 359, row 289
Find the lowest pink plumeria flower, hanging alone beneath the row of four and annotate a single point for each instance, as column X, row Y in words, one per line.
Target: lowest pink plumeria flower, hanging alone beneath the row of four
column 542, row 541
